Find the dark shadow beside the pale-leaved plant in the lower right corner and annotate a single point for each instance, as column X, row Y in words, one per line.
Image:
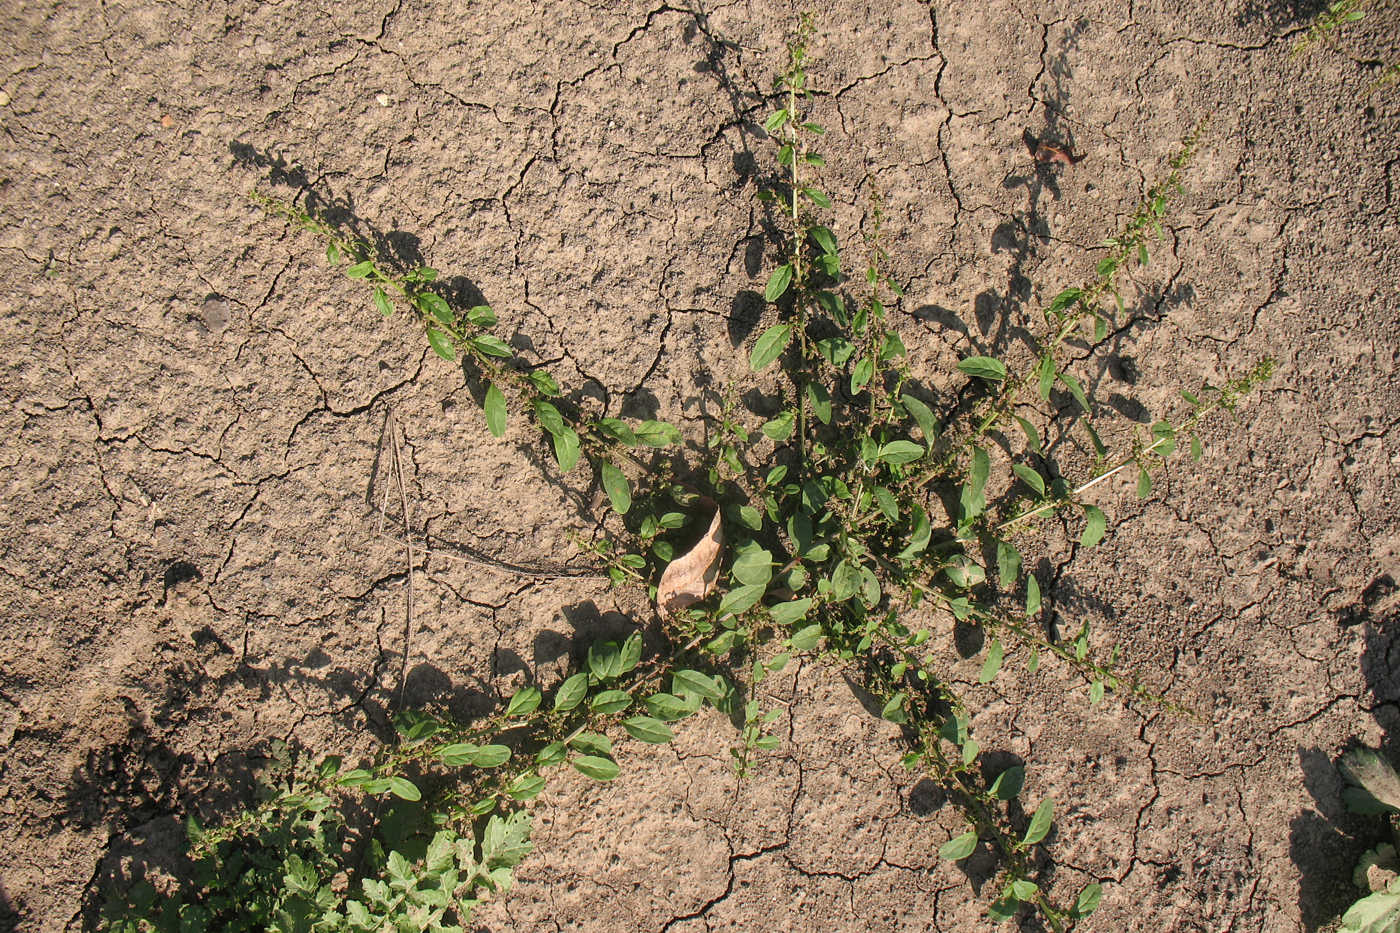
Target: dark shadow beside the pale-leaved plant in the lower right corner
column 1326, row 843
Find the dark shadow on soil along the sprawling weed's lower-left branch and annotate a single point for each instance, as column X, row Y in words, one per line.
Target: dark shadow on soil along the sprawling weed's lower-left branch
column 138, row 788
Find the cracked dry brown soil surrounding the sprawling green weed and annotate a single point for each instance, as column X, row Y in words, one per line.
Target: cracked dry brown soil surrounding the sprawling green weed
column 192, row 561
